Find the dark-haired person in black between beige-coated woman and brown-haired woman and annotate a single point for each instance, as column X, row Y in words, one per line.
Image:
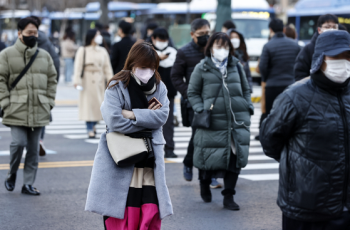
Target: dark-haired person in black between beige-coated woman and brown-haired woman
column 120, row 50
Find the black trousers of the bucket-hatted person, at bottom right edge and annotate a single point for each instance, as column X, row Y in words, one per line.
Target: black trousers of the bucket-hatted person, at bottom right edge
column 340, row 223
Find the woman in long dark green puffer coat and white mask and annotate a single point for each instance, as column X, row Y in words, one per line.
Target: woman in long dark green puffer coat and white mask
column 218, row 84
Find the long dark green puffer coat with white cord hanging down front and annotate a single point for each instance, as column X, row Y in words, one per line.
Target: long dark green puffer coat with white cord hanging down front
column 212, row 147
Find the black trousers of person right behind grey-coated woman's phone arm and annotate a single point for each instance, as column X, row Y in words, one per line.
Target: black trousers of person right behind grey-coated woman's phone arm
column 168, row 128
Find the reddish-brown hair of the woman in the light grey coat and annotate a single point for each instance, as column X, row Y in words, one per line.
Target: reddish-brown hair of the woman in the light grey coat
column 142, row 54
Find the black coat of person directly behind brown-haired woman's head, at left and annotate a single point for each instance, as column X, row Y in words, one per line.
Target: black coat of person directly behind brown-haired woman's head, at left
column 120, row 51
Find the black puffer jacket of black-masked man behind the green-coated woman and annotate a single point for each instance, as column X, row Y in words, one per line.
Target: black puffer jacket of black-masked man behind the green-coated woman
column 186, row 59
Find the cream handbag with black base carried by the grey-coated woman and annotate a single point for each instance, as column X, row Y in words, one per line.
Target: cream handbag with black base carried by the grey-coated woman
column 125, row 150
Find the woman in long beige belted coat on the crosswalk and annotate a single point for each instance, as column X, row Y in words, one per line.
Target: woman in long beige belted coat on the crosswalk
column 92, row 69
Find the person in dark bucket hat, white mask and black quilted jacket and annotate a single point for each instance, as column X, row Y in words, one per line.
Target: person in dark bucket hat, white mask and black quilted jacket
column 307, row 132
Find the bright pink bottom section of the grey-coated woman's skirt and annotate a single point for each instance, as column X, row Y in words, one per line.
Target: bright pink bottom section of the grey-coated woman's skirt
column 144, row 218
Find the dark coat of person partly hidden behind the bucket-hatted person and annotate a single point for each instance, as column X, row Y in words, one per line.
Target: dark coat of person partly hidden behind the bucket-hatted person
column 303, row 62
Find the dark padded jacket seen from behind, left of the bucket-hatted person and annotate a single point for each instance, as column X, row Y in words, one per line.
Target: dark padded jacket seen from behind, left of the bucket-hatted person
column 277, row 61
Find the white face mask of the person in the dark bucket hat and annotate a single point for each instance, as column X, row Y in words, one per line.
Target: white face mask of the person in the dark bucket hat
column 337, row 71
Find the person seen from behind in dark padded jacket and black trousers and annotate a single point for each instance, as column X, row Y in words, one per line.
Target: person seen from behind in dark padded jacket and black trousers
column 277, row 62
